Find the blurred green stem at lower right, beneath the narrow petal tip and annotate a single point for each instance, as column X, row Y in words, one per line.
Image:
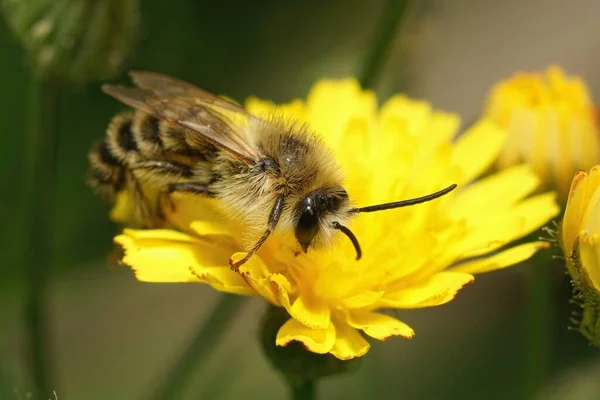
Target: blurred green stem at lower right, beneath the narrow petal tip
column 539, row 325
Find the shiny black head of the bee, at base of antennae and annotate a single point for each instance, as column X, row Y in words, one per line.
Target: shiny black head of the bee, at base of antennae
column 315, row 211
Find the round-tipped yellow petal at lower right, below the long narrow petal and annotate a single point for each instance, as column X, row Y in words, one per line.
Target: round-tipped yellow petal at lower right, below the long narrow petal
column 440, row 289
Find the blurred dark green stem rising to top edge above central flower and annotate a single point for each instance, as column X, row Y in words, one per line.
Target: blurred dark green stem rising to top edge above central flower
column 377, row 54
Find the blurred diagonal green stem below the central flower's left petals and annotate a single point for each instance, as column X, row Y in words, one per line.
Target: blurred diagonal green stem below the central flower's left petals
column 200, row 348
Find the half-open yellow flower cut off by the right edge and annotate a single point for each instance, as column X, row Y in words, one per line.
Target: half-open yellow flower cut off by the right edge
column 580, row 241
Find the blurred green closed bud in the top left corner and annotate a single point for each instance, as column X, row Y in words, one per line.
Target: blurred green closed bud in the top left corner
column 76, row 40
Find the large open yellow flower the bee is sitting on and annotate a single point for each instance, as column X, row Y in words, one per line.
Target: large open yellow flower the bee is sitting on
column 413, row 257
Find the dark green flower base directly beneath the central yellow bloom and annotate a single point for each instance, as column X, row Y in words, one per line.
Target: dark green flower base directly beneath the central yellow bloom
column 298, row 365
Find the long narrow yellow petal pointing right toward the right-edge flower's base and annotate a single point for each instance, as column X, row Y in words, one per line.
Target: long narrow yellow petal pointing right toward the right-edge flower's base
column 503, row 259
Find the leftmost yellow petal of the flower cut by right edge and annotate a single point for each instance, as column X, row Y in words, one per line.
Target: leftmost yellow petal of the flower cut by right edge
column 574, row 212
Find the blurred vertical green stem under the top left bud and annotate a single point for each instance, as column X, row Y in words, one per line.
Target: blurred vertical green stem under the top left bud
column 39, row 174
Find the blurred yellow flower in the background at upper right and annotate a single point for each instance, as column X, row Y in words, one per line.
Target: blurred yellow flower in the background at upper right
column 551, row 123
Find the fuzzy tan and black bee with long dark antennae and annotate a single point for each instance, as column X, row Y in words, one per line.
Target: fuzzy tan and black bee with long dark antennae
column 272, row 174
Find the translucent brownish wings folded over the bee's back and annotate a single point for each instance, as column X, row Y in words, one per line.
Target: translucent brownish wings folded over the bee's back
column 200, row 112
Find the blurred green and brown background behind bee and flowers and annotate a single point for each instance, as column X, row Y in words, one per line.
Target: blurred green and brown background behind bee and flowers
column 115, row 338
